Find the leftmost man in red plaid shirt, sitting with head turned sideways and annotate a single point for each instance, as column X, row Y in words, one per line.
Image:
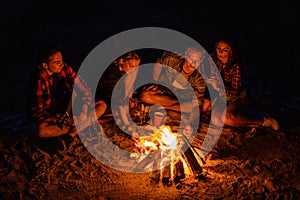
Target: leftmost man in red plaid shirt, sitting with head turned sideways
column 52, row 93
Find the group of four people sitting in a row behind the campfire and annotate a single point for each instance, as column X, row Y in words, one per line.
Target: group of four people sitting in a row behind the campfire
column 181, row 82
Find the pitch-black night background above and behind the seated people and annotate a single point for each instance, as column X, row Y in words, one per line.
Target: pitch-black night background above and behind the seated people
column 266, row 33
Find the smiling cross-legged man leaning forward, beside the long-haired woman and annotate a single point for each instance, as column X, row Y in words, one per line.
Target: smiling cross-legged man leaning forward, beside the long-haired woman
column 180, row 87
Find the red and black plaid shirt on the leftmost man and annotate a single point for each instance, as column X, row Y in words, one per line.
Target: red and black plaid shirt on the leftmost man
column 45, row 97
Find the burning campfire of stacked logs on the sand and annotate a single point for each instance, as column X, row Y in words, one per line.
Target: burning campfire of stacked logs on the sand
column 171, row 155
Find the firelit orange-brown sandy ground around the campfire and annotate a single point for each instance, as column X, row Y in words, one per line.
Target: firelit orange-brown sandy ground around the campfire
column 245, row 163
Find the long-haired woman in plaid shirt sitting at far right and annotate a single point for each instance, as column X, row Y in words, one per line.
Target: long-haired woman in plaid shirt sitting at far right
column 225, row 57
